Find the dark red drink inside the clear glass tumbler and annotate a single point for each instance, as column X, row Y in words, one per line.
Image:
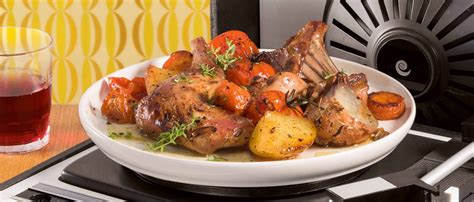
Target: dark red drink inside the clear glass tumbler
column 25, row 103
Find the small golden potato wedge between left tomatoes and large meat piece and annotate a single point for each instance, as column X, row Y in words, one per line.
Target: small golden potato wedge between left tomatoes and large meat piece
column 154, row 76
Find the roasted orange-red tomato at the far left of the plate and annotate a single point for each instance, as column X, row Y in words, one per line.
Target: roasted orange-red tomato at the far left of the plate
column 121, row 101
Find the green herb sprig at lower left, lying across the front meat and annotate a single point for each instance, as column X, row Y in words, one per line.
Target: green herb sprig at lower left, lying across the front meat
column 170, row 136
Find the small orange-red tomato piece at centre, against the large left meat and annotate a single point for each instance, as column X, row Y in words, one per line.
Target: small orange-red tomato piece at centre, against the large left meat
column 232, row 97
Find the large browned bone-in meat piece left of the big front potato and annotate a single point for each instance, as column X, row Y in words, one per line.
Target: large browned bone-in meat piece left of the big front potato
column 180, row 98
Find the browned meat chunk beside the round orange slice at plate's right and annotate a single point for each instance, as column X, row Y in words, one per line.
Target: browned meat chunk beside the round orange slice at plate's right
column 341, row 117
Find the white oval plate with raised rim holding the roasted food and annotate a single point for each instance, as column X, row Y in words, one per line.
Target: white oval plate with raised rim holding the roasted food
column 308, row 168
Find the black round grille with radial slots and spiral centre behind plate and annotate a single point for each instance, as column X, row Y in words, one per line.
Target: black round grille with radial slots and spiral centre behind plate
column 427, row 45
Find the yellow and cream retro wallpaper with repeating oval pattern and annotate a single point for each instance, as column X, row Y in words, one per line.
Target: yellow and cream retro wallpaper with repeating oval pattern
column 96, row 37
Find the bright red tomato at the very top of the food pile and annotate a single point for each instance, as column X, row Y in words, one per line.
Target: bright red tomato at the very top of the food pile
column 244, row 47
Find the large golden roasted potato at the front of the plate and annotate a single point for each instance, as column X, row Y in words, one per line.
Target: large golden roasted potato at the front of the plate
column 279, row 136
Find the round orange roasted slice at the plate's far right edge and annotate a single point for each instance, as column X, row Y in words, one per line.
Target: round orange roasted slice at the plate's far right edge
column 386, row 105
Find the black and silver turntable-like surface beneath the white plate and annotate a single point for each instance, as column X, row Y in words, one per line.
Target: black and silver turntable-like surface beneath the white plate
column 90, row 175
